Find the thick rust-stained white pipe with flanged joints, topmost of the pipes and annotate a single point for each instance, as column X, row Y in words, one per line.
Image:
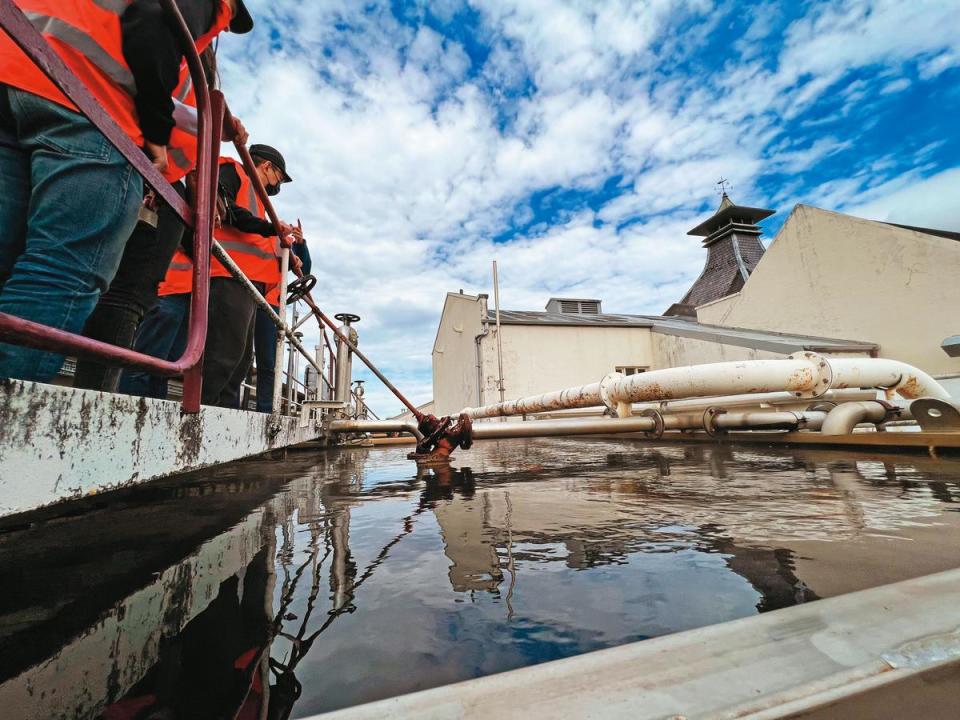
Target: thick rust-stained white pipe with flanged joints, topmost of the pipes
column 805, row 376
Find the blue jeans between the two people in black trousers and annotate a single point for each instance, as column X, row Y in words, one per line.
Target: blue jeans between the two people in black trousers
column 162, row 334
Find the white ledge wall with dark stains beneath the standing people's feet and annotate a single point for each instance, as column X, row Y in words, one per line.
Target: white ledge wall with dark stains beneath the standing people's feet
column 58, row 444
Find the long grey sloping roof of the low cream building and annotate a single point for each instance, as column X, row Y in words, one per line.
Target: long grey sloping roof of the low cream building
column 757, row 339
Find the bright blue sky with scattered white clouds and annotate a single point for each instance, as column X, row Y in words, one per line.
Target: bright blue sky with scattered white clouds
column 576, row 141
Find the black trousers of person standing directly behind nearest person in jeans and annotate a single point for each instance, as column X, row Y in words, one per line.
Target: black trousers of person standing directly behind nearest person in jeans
column 132, row 293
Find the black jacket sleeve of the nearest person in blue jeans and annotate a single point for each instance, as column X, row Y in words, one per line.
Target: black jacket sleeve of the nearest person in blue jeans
column 152, row 50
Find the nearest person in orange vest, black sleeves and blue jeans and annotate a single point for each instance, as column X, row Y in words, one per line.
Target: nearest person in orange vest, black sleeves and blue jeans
column 70, row 199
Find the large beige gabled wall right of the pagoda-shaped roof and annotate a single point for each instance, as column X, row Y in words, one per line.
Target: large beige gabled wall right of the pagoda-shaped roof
column 832, row 275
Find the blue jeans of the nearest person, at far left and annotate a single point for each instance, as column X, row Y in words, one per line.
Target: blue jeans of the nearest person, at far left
column 68, row 203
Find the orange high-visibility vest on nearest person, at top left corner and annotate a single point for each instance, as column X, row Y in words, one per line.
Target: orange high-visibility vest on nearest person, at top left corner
column 86, row 35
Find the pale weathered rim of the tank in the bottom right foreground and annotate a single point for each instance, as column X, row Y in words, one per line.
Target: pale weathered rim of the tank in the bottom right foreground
column 790, row 659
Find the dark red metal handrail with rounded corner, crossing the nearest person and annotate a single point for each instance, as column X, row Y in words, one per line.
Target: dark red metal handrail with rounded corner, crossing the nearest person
column 210, row 107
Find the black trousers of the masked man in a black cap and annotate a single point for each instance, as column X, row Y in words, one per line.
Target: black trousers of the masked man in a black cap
column 229, row 348
